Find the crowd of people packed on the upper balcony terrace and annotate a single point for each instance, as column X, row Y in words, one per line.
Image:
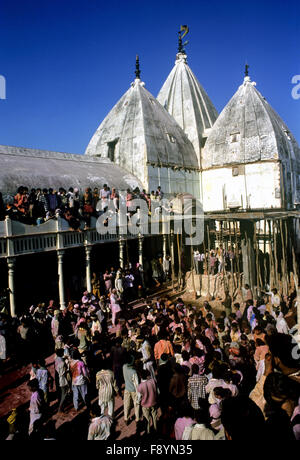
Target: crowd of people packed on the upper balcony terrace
column 39, row 205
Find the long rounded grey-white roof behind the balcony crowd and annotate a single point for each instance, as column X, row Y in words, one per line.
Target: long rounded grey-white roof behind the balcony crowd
column 40, row 168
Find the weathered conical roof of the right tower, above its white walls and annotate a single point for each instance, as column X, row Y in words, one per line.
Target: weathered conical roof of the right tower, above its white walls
column 249, row 130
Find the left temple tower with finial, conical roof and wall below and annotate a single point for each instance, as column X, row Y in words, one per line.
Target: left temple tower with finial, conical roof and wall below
column 141, row 136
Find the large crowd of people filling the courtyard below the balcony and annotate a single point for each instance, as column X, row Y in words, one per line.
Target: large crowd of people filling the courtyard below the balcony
column 188, row 372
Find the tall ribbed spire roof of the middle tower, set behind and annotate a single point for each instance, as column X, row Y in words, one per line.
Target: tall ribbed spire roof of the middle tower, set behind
column 187, row 101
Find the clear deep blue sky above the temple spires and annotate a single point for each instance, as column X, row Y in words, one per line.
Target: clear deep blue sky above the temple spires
column 67, row 62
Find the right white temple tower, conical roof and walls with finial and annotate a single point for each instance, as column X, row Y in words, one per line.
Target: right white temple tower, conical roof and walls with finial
column 250, row 159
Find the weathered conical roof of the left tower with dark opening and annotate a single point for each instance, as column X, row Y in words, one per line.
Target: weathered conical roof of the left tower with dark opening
column 141, row 130
